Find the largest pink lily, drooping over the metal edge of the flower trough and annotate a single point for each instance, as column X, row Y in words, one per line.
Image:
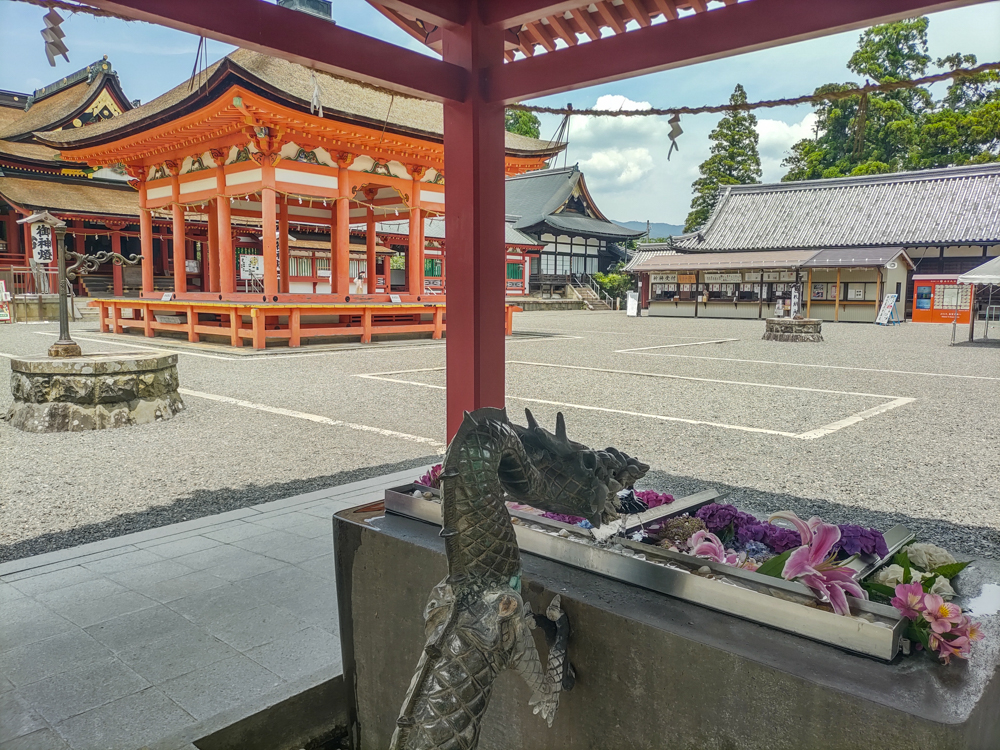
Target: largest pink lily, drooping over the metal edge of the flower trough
column 813, row 563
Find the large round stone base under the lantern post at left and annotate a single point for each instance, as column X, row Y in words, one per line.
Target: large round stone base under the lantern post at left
column 93, row 392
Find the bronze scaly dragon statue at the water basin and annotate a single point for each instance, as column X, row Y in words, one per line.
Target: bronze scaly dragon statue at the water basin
column 476, row 623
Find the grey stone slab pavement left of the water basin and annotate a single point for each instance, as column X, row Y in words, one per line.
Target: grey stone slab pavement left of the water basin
column 118, row 643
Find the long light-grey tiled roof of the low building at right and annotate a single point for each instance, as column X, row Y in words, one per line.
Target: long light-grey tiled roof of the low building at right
column 955, row 205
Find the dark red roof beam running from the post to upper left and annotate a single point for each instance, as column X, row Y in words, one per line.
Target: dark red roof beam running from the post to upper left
column 301, row 38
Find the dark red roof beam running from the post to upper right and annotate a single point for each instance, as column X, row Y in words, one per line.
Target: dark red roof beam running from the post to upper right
column 724, row 32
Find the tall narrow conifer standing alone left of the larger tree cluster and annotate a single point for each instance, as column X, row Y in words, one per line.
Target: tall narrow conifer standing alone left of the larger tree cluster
column 734, row 160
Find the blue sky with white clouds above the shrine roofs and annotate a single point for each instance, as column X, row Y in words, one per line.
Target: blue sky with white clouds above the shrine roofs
column 624, row 160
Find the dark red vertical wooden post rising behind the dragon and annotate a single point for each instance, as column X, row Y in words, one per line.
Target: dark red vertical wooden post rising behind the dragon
column 474, row 228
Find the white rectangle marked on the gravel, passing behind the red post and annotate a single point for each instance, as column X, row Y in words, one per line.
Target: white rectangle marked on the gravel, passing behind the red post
column 809, row 435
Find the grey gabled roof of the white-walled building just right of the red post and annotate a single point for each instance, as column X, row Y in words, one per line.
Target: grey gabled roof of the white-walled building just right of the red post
column 540, row 201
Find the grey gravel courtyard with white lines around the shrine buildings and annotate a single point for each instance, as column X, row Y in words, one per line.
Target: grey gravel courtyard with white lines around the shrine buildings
column 875, row 425
